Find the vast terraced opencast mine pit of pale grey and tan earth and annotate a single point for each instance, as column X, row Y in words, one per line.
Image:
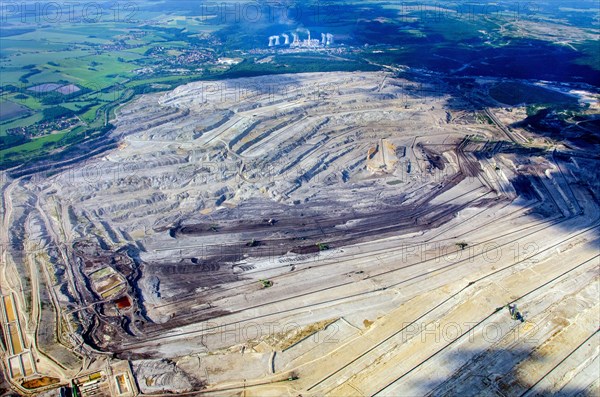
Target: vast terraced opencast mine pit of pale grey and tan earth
column 317, row 234
